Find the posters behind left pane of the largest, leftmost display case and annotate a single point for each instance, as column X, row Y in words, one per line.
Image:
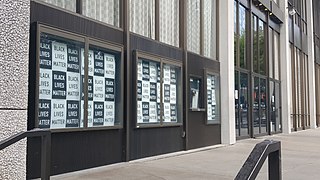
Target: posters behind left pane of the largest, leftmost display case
column 59, row 82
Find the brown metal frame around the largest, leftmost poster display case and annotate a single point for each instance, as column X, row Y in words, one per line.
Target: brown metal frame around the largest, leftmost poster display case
column 87, row 41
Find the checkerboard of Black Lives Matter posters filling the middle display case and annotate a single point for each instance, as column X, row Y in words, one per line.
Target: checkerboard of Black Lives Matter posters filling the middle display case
column 149, row 89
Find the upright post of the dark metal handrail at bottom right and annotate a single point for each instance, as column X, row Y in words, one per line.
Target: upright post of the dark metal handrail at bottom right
column 274, row 163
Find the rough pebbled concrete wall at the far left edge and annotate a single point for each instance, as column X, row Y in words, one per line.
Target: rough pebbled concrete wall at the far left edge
column 14, row 57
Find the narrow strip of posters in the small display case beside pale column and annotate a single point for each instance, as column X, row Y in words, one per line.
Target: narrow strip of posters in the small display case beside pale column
column 212, row 95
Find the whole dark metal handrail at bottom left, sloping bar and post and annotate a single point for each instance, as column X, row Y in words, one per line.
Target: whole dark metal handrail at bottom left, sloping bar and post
column 45, row 135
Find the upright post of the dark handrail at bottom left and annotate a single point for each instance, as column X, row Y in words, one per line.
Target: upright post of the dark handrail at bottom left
column 45, row 156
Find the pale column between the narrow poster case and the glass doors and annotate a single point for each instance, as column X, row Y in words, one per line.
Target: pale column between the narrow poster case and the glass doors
column 226, row 51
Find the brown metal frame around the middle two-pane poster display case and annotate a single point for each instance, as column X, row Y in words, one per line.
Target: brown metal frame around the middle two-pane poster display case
column 155, row 58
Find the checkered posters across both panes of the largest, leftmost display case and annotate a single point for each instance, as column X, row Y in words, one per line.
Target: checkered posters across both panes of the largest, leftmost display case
column 61, row 75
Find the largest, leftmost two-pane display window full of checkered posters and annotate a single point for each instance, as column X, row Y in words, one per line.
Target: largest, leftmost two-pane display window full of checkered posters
column 66, row 69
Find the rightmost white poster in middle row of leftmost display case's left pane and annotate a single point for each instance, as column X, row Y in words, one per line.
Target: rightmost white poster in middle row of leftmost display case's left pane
column 73, row 86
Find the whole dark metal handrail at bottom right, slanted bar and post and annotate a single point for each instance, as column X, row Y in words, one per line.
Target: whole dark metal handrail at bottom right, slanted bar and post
column 253, row 164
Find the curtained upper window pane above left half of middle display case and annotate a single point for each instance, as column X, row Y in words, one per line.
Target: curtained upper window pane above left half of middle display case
column 142, row 17
